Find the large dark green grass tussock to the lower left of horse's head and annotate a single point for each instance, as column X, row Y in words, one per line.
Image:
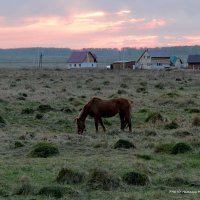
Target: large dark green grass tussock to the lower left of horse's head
column 44, row 150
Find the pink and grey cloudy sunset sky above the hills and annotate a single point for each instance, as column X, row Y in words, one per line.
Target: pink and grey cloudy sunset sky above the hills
column 99, row 24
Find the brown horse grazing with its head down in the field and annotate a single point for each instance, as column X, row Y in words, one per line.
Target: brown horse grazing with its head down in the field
column 98, row 108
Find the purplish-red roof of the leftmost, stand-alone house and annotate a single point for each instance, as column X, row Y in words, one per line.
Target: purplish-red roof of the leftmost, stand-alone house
column 80, row 56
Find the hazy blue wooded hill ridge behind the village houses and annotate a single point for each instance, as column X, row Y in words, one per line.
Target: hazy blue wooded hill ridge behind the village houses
column 29, row 56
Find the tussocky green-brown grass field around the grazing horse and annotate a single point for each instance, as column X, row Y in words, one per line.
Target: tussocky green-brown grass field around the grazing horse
column 43, row 157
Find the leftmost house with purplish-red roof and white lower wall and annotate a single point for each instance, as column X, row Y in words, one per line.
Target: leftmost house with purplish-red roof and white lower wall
column 82, row 59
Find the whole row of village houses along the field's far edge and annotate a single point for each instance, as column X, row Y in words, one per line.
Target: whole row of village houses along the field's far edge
column 149, row 59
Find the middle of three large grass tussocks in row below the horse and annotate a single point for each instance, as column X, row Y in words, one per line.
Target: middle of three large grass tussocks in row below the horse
column 99, row 179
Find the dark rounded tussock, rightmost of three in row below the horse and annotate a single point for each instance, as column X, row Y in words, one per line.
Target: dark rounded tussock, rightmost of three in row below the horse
column 135, row 178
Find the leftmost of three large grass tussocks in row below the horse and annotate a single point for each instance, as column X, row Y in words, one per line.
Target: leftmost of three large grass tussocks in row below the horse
column 70, row 176
